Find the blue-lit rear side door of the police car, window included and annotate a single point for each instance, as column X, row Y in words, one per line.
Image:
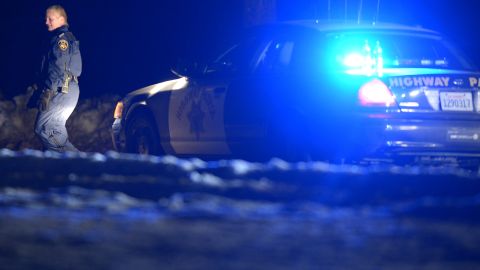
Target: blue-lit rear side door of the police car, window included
column 254, row 98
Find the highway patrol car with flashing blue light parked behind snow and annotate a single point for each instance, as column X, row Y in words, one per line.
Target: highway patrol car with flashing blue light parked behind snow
column 308, row 88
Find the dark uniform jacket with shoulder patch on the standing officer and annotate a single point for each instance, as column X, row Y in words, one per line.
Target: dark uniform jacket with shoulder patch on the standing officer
column 61, row 58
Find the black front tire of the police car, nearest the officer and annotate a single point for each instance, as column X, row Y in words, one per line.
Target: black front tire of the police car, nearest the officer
column 142, row 135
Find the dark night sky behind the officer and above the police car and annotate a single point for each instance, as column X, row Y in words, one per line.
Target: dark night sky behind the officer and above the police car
column 131, row 44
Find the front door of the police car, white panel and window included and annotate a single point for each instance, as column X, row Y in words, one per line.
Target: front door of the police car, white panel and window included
column 198, row 114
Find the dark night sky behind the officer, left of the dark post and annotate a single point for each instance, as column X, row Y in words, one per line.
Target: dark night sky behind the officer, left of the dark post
column 125, row 45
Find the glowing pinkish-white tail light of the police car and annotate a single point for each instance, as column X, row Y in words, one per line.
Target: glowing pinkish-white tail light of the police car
column 375, row 93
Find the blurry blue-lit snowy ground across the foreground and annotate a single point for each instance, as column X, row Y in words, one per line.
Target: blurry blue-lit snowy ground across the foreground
column 117, row 211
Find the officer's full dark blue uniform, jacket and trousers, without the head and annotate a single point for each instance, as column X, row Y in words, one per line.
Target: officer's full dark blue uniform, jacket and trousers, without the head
column 61, row 66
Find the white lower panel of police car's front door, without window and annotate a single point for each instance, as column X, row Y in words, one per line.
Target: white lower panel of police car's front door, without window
column 195, row 118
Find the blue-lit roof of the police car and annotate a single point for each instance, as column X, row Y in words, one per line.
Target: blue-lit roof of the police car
column 335, row 26
